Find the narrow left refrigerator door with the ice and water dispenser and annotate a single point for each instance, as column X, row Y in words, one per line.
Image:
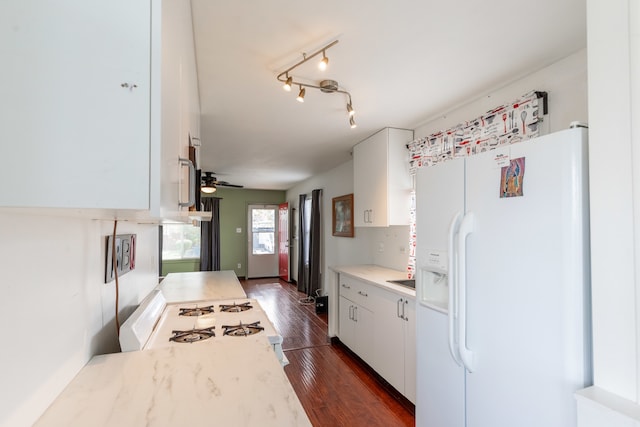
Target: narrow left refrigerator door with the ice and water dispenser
column 440, row 381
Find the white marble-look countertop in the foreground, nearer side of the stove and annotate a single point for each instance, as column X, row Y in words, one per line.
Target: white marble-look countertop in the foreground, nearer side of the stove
column 222, row 383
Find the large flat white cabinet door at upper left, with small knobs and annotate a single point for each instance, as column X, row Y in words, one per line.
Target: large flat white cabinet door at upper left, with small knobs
column 75, row 103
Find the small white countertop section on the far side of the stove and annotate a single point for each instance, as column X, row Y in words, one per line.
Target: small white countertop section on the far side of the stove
column 201, row 285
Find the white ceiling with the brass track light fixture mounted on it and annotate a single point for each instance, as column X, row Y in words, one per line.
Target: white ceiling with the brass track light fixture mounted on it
column 403, row 61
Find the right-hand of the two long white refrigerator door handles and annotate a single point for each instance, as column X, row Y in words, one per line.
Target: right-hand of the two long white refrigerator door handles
column 467, row 227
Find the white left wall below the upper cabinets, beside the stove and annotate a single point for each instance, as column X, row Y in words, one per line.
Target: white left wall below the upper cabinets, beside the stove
column 56, row 310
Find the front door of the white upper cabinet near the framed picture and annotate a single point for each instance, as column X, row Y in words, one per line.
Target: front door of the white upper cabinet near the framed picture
column 370, row 181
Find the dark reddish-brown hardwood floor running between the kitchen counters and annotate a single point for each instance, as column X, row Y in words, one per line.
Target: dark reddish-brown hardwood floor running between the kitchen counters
column 334, row 387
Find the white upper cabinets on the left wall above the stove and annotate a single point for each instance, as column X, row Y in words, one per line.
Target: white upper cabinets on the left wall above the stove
column 88, row 119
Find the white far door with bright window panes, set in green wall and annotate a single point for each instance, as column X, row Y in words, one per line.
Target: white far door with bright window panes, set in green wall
column 262, row 258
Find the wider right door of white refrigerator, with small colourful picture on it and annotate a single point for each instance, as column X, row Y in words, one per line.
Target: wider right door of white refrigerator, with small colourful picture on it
column 527, row 283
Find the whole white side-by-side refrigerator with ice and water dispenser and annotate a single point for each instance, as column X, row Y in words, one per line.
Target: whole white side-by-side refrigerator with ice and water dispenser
column 503, row 286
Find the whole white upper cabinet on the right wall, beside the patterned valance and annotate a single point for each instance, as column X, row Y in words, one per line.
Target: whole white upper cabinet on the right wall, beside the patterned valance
column 382, row 184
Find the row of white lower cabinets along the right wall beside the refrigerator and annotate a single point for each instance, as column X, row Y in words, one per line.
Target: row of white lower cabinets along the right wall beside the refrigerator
column 379, row 326
